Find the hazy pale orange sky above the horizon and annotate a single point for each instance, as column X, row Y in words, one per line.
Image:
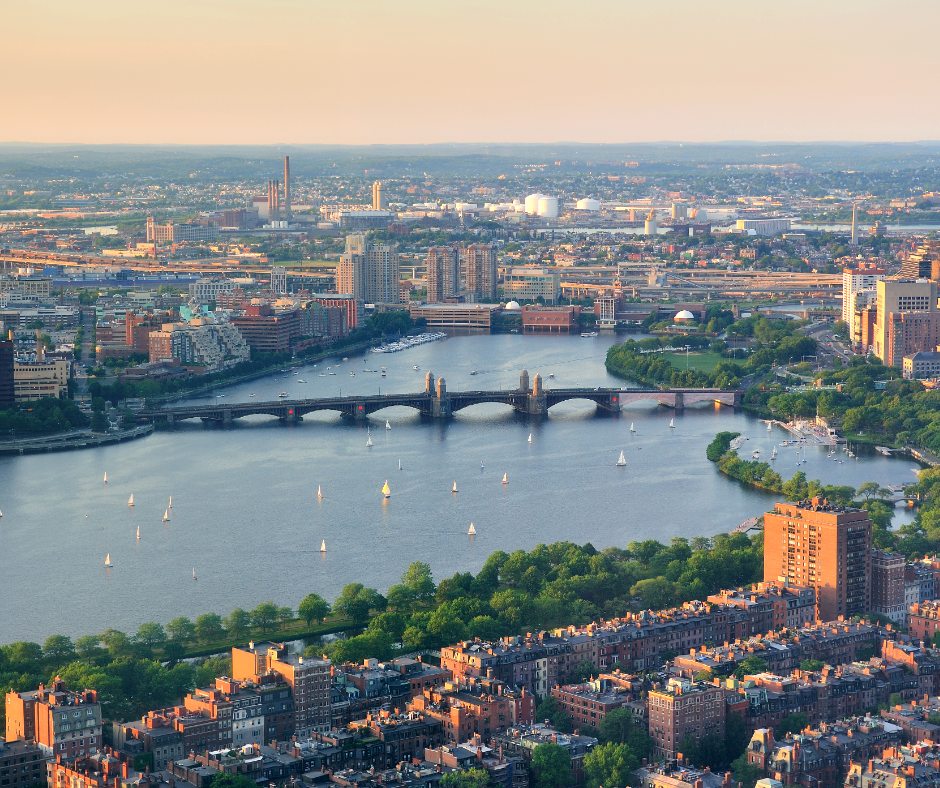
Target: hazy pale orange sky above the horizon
column 371, row 71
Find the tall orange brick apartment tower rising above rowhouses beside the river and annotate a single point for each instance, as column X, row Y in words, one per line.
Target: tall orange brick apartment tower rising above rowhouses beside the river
column 816, row 544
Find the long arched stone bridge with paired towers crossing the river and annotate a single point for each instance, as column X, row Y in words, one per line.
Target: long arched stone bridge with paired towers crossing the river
column 439, row 403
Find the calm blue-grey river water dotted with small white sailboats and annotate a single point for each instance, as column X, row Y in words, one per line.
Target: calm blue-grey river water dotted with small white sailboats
column 246, row 517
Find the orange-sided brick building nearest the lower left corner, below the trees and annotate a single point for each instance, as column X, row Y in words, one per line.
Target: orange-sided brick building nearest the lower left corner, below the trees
column 61, row 722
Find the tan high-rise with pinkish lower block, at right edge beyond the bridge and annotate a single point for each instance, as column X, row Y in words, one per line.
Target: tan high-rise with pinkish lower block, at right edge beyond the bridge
column 907, row 321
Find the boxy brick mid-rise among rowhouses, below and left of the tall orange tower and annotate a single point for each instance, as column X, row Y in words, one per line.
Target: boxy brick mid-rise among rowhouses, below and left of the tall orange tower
column 684, row 708
